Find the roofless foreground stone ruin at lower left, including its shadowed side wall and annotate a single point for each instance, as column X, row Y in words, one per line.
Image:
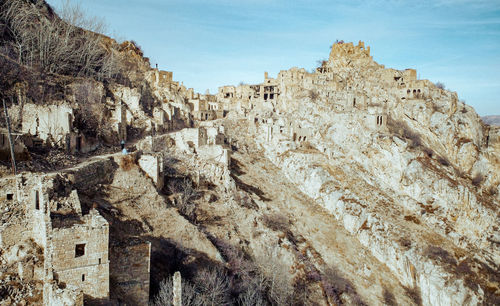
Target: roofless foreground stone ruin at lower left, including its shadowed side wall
column 75, row 260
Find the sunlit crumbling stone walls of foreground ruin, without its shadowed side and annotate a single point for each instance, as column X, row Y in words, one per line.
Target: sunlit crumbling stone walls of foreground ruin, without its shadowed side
column 74, row 246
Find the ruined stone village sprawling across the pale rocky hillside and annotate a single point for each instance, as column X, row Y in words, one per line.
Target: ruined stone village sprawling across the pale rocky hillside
column 404, row 168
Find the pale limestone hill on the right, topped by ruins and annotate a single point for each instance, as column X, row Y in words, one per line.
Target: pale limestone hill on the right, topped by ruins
column 409, row 170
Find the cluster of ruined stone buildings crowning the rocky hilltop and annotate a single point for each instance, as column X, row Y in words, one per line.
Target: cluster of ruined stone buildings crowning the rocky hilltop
column 333, row 82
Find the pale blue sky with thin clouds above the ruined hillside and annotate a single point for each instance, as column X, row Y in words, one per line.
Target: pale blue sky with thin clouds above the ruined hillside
column 208, row 44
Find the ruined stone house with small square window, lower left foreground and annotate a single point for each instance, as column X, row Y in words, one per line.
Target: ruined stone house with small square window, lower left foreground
column 75, row 245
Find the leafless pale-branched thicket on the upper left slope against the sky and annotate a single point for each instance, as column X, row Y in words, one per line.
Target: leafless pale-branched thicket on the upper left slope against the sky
column 67, row 45
